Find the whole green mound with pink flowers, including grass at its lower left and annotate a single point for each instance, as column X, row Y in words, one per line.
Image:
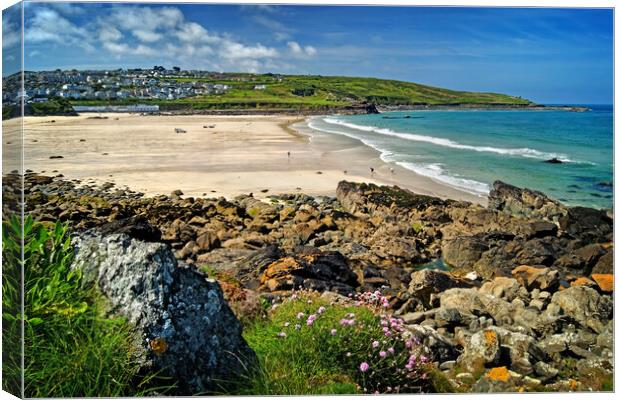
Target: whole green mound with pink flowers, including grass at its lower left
column 310, row 346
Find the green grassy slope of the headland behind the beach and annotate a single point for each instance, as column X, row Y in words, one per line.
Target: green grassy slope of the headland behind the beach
column 327, row 91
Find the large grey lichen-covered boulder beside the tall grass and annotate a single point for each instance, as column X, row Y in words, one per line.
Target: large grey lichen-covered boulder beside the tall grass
column 183, row 327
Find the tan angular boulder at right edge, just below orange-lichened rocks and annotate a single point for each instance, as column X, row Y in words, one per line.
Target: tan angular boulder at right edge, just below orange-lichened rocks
column 585, row 306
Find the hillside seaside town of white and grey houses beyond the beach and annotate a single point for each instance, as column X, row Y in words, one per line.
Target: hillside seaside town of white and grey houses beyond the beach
column 157, row 83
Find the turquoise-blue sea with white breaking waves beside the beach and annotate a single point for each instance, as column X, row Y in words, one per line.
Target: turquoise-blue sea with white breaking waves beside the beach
column 470, row 149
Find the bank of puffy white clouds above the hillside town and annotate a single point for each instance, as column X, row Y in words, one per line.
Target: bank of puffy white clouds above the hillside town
column 159, row 35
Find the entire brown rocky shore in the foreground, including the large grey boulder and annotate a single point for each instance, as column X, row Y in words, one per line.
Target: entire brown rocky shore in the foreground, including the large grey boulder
column 526, row 304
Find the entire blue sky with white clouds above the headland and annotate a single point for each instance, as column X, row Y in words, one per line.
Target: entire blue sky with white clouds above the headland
column 546, row 55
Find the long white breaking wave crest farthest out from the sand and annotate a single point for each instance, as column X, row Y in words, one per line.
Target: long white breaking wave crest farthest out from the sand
column 522, row 152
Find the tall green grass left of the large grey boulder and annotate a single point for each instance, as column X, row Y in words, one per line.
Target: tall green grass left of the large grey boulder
column 71, row 348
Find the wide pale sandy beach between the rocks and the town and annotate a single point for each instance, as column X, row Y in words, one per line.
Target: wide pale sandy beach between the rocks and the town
column 238, row 155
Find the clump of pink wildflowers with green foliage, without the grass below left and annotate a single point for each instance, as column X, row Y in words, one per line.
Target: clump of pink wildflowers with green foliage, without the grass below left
column 361, row 337
